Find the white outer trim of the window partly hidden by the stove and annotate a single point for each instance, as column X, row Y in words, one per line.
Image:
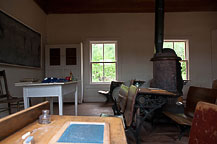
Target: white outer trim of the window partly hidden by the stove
column 186, row 53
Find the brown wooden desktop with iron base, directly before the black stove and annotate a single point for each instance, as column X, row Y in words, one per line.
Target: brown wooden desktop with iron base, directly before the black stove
column 155, row 91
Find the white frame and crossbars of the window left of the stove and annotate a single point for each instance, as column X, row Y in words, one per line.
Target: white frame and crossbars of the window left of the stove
column 116, row 58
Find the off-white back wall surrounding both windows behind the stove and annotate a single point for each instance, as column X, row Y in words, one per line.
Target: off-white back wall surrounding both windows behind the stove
column 135, row 34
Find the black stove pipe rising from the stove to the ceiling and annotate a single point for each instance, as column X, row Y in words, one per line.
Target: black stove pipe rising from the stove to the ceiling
column 159, row 25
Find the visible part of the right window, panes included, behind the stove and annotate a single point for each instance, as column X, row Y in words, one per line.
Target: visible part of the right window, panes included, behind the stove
column 181, row 49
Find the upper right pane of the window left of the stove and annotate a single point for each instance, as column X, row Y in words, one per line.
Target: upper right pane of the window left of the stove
column 109, row 52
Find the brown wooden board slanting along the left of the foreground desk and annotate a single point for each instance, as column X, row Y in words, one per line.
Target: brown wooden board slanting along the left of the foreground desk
column 16, row 121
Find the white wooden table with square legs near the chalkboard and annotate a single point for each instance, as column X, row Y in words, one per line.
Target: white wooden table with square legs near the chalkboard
column 33, row 89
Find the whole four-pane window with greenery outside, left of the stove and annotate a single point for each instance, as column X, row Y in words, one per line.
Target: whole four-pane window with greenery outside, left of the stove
column 103, row 61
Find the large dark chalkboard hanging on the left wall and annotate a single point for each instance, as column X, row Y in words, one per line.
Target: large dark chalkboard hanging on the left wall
column 19, row 45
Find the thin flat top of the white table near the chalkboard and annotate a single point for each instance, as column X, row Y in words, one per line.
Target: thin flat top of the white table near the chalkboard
column 42, row 84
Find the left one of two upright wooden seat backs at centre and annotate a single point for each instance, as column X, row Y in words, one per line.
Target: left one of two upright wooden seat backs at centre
column 122, row 98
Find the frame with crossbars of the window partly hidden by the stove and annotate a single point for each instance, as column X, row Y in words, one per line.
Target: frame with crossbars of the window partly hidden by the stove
column 186, row 53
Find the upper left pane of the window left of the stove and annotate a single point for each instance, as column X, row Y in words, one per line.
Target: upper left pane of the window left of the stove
column 97, row 52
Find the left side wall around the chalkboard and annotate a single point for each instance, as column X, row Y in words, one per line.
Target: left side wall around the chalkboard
column 28, row 13
